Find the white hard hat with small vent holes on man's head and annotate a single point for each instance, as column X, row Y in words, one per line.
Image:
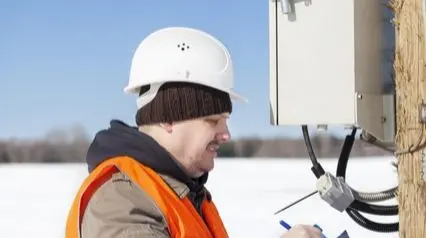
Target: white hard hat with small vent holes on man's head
column 179, row 54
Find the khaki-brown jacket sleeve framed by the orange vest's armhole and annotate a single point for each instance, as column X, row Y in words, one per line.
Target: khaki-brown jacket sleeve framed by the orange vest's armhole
column 119, row 209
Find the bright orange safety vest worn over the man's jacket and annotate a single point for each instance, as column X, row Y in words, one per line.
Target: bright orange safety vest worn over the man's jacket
column 182, row 218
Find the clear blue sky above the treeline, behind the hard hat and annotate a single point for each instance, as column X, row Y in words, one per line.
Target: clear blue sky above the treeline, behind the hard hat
column 66, row 62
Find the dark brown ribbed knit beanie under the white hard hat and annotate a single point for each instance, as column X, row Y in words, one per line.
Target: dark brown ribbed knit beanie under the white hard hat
column 178, row 101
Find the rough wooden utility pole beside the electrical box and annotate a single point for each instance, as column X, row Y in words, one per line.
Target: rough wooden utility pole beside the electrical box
column 409, row 68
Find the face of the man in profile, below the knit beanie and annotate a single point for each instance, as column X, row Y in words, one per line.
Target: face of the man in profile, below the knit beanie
column 198, row 140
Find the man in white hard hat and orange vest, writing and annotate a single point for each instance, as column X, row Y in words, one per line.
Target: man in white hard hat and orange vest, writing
column 148, row 181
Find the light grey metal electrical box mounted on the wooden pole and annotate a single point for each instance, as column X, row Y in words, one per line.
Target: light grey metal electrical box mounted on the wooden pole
column 331, row 64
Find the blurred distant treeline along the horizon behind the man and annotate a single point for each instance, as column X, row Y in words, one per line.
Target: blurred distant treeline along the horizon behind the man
column 66, row 146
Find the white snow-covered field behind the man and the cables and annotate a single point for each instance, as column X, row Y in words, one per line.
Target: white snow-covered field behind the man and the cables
column 34, row 199
